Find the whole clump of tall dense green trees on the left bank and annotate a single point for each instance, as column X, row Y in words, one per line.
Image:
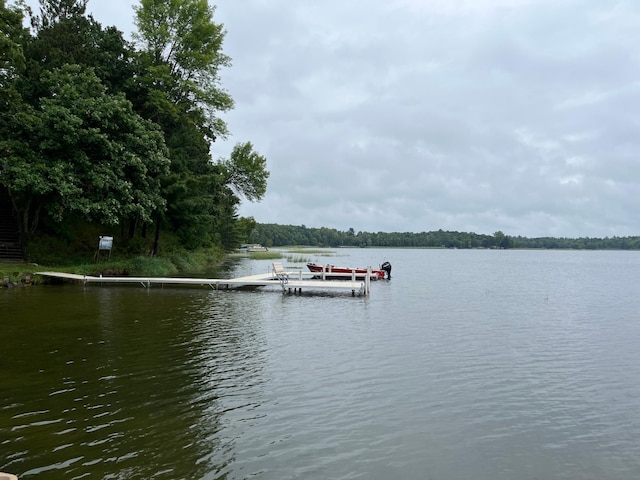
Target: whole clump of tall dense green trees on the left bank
column 98, row 131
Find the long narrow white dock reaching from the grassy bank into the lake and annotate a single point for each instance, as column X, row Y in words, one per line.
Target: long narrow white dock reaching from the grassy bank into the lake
column 290, row 282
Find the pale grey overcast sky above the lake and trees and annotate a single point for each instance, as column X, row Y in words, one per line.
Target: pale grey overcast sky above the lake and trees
column 416, row 115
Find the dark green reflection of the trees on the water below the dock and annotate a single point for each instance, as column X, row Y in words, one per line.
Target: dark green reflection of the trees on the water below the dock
column 125, row 383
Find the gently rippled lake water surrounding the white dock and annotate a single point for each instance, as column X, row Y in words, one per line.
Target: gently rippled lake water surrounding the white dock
column 468, row 364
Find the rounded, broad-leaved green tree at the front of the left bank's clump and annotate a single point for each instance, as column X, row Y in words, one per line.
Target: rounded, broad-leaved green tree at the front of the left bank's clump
column 82, row 151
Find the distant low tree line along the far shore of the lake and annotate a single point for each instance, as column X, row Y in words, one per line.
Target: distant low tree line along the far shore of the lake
column 274, row 235
